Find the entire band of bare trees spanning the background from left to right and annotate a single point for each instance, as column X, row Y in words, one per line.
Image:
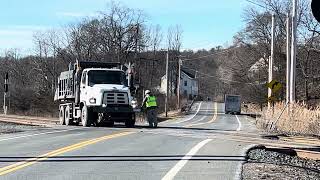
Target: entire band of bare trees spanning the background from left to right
column 122, row 34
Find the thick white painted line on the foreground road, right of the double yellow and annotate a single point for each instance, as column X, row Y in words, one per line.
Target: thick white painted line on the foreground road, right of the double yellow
column 173, row 172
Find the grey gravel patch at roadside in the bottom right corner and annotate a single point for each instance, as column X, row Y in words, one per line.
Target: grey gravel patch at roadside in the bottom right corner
column 270, row 164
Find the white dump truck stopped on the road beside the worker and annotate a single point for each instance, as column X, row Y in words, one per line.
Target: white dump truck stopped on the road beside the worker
column 95, row 93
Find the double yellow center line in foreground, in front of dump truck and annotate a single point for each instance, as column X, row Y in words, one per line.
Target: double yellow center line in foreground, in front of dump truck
column 31, row 161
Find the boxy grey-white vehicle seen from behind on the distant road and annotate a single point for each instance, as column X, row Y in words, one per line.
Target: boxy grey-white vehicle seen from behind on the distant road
column 232, row 104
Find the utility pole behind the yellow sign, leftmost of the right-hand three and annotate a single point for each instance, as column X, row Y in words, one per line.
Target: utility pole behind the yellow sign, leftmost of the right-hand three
column 271, row 59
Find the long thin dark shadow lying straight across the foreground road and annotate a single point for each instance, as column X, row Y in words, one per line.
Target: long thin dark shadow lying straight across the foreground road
column 122, row 158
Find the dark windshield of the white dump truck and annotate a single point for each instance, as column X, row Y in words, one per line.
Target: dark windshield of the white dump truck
column 106, row 77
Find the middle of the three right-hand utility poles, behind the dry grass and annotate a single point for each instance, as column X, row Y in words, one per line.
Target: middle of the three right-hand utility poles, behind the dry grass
column 288, row 60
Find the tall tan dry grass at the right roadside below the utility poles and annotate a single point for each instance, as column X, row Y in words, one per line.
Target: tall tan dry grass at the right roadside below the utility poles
column 295, row 119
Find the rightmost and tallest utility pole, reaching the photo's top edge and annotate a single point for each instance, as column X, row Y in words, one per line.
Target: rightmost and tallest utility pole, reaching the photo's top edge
column 293, row 53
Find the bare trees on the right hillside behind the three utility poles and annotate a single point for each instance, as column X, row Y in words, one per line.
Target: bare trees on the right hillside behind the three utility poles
column 247, row 59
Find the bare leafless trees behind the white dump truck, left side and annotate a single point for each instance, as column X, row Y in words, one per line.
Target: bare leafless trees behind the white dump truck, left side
column 118, row 34
